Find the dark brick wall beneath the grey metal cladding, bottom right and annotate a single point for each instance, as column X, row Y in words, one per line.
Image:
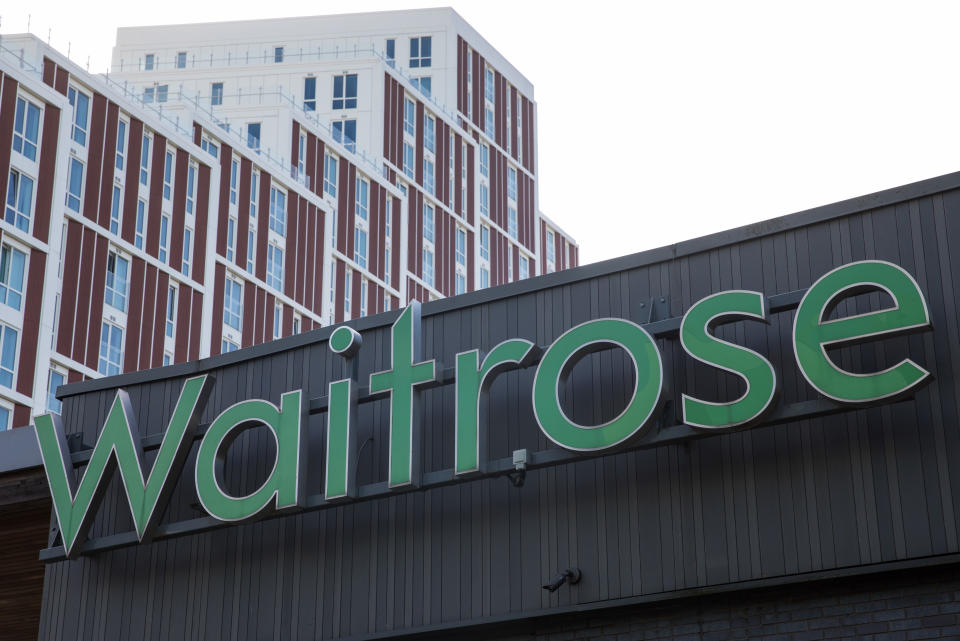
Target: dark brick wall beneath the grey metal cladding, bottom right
column 915, row 604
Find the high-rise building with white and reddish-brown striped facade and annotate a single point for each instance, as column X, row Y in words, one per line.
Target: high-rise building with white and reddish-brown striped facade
column 229, row 184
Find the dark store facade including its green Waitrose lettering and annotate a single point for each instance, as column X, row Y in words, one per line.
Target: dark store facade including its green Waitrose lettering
column 433, row 469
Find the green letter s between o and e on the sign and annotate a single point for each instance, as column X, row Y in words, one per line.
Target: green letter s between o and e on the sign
column 753, row 368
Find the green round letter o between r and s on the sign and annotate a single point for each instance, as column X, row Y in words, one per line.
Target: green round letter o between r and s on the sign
column 559, row 360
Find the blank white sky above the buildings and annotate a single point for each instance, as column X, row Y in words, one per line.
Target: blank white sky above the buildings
column 662, row 121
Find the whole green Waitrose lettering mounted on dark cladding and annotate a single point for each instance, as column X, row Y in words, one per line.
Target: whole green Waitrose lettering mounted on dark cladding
column 119, row 445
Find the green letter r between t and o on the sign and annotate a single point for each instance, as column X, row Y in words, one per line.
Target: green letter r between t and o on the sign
column 473, row 381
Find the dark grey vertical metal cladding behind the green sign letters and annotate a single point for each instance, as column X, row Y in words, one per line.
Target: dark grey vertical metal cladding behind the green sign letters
column 854, row 489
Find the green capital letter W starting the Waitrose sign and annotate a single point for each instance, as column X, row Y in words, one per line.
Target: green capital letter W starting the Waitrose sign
column 119, row 445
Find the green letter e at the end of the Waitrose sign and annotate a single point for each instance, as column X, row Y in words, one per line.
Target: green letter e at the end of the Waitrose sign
column 812, row 334
